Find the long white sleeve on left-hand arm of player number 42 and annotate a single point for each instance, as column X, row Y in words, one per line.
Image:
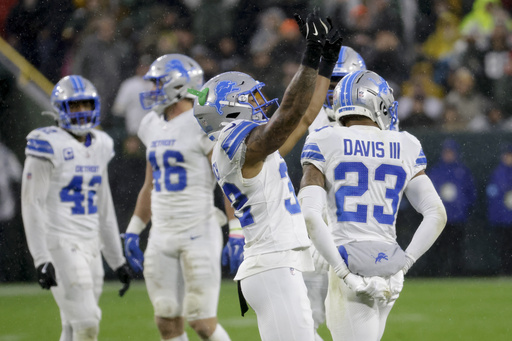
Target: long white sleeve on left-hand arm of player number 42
column 34, row 190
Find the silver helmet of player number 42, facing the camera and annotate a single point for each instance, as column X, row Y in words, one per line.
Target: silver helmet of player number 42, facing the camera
column 75, row 89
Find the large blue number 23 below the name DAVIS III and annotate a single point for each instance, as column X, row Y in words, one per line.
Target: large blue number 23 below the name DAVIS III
column 361, row 213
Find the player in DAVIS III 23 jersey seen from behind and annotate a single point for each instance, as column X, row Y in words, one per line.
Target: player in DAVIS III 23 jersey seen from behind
column 364, row 168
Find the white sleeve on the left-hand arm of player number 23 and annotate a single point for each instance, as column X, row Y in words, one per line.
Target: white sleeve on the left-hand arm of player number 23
column 313, row 200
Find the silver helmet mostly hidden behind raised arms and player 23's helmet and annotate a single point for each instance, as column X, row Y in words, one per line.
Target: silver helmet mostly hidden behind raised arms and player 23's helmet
column 348, row 61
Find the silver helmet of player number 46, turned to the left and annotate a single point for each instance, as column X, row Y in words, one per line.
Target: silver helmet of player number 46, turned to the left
column 172, row 74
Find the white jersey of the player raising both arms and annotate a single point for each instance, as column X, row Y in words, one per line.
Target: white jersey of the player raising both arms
column 266, row 205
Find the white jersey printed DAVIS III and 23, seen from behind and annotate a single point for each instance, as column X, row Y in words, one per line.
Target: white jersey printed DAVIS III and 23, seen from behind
column 366, row 171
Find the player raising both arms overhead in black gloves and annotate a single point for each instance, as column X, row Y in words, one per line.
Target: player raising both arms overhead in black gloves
column 231, row 109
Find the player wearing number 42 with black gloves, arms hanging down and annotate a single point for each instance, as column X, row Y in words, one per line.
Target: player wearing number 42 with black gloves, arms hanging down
column 67, row 208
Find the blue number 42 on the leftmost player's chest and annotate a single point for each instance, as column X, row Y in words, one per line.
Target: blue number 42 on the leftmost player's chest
column 73, row 193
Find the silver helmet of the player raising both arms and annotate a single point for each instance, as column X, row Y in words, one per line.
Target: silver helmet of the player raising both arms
column 227, row 97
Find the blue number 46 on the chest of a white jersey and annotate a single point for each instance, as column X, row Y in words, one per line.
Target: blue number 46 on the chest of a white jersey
column 169, row 170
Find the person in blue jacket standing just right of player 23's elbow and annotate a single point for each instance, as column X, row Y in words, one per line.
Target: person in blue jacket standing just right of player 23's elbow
column 454, row 183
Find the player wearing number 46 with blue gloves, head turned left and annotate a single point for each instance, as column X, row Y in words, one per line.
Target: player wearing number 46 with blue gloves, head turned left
column 182, row 260
